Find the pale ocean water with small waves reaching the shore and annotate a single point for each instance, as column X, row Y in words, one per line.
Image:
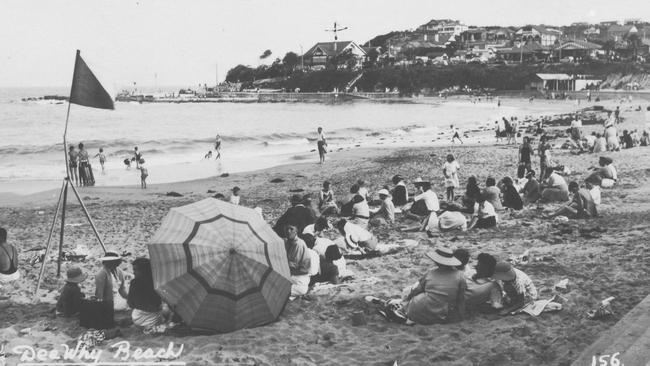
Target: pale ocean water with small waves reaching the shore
column 174, row 138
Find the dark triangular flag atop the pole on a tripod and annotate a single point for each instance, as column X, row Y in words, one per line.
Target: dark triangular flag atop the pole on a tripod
column 86, row 89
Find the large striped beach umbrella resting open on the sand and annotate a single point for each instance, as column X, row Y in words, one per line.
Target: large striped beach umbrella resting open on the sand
column 220, row 266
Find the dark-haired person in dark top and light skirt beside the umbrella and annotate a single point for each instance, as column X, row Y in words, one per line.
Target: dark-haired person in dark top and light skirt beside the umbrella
column 142, row 298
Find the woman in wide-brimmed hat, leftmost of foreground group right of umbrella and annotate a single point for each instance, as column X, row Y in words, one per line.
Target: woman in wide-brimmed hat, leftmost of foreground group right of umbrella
column 439, row 296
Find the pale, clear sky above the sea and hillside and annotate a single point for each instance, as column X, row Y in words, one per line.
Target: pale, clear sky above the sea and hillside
column 186, row 43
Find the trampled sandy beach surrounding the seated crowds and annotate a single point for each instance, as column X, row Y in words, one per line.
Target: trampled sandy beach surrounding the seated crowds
column 318, row 328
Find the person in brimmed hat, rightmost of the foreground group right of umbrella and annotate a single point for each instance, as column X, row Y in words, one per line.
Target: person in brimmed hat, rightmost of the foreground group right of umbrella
column 518, row 289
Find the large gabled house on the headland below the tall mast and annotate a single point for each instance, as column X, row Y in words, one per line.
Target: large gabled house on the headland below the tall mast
column 324, row 53
